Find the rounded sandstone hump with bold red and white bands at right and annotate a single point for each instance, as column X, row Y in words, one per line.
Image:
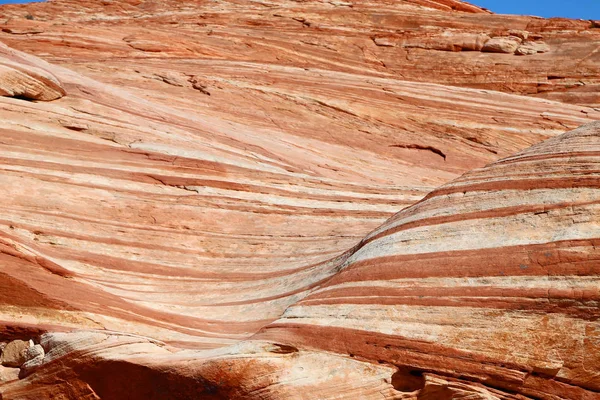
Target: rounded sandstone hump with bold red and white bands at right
column 491, row 282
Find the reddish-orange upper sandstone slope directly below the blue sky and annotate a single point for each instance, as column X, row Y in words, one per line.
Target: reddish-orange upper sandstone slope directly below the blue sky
column 417, row 40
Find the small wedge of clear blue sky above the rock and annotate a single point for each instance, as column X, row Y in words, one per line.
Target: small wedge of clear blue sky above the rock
column 584, row 9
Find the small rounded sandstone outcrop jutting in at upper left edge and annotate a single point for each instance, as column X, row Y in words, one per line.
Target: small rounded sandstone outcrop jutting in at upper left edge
column 19, row 78
